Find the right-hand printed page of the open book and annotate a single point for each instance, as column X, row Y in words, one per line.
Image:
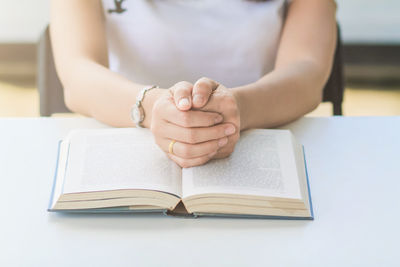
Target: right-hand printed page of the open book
column 262, row 164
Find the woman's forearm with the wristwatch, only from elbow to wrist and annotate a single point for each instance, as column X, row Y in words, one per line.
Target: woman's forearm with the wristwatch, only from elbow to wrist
column 93, row 90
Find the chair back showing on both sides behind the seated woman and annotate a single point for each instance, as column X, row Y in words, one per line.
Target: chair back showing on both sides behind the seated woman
column 52, row 95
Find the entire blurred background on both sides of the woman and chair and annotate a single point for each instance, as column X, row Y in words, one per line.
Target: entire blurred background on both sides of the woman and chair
column 371, row 54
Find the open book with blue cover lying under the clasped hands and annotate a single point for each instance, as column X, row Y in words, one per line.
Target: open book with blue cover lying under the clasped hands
column 123, row 170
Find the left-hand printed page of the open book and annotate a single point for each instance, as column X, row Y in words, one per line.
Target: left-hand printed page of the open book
column 112, row 159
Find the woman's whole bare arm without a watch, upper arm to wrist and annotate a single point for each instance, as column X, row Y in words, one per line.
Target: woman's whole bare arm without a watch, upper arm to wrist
column 302, row 67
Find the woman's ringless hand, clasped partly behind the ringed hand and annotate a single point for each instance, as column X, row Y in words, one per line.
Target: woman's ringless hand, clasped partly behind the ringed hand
column 208, row 96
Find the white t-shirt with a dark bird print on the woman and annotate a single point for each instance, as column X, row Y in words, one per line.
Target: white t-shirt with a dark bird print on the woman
column 166, row 41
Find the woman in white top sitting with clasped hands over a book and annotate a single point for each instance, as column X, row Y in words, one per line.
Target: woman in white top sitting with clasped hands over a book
column 262, row 63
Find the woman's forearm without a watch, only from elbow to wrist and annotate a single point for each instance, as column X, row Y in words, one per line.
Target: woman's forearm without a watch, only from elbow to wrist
column 281, row 96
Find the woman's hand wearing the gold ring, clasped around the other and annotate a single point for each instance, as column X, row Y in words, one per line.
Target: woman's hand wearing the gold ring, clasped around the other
column 199, row 134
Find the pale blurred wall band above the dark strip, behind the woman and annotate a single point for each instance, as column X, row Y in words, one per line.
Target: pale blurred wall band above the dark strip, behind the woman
column 365, row 21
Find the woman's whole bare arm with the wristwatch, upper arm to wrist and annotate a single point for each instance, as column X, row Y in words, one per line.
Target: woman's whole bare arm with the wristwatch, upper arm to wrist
column 79, row 42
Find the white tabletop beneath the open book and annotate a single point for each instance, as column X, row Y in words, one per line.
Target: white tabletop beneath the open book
column 354, row 168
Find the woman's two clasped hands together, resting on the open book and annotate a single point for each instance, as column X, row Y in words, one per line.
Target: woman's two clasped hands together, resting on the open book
column 202, row 118
